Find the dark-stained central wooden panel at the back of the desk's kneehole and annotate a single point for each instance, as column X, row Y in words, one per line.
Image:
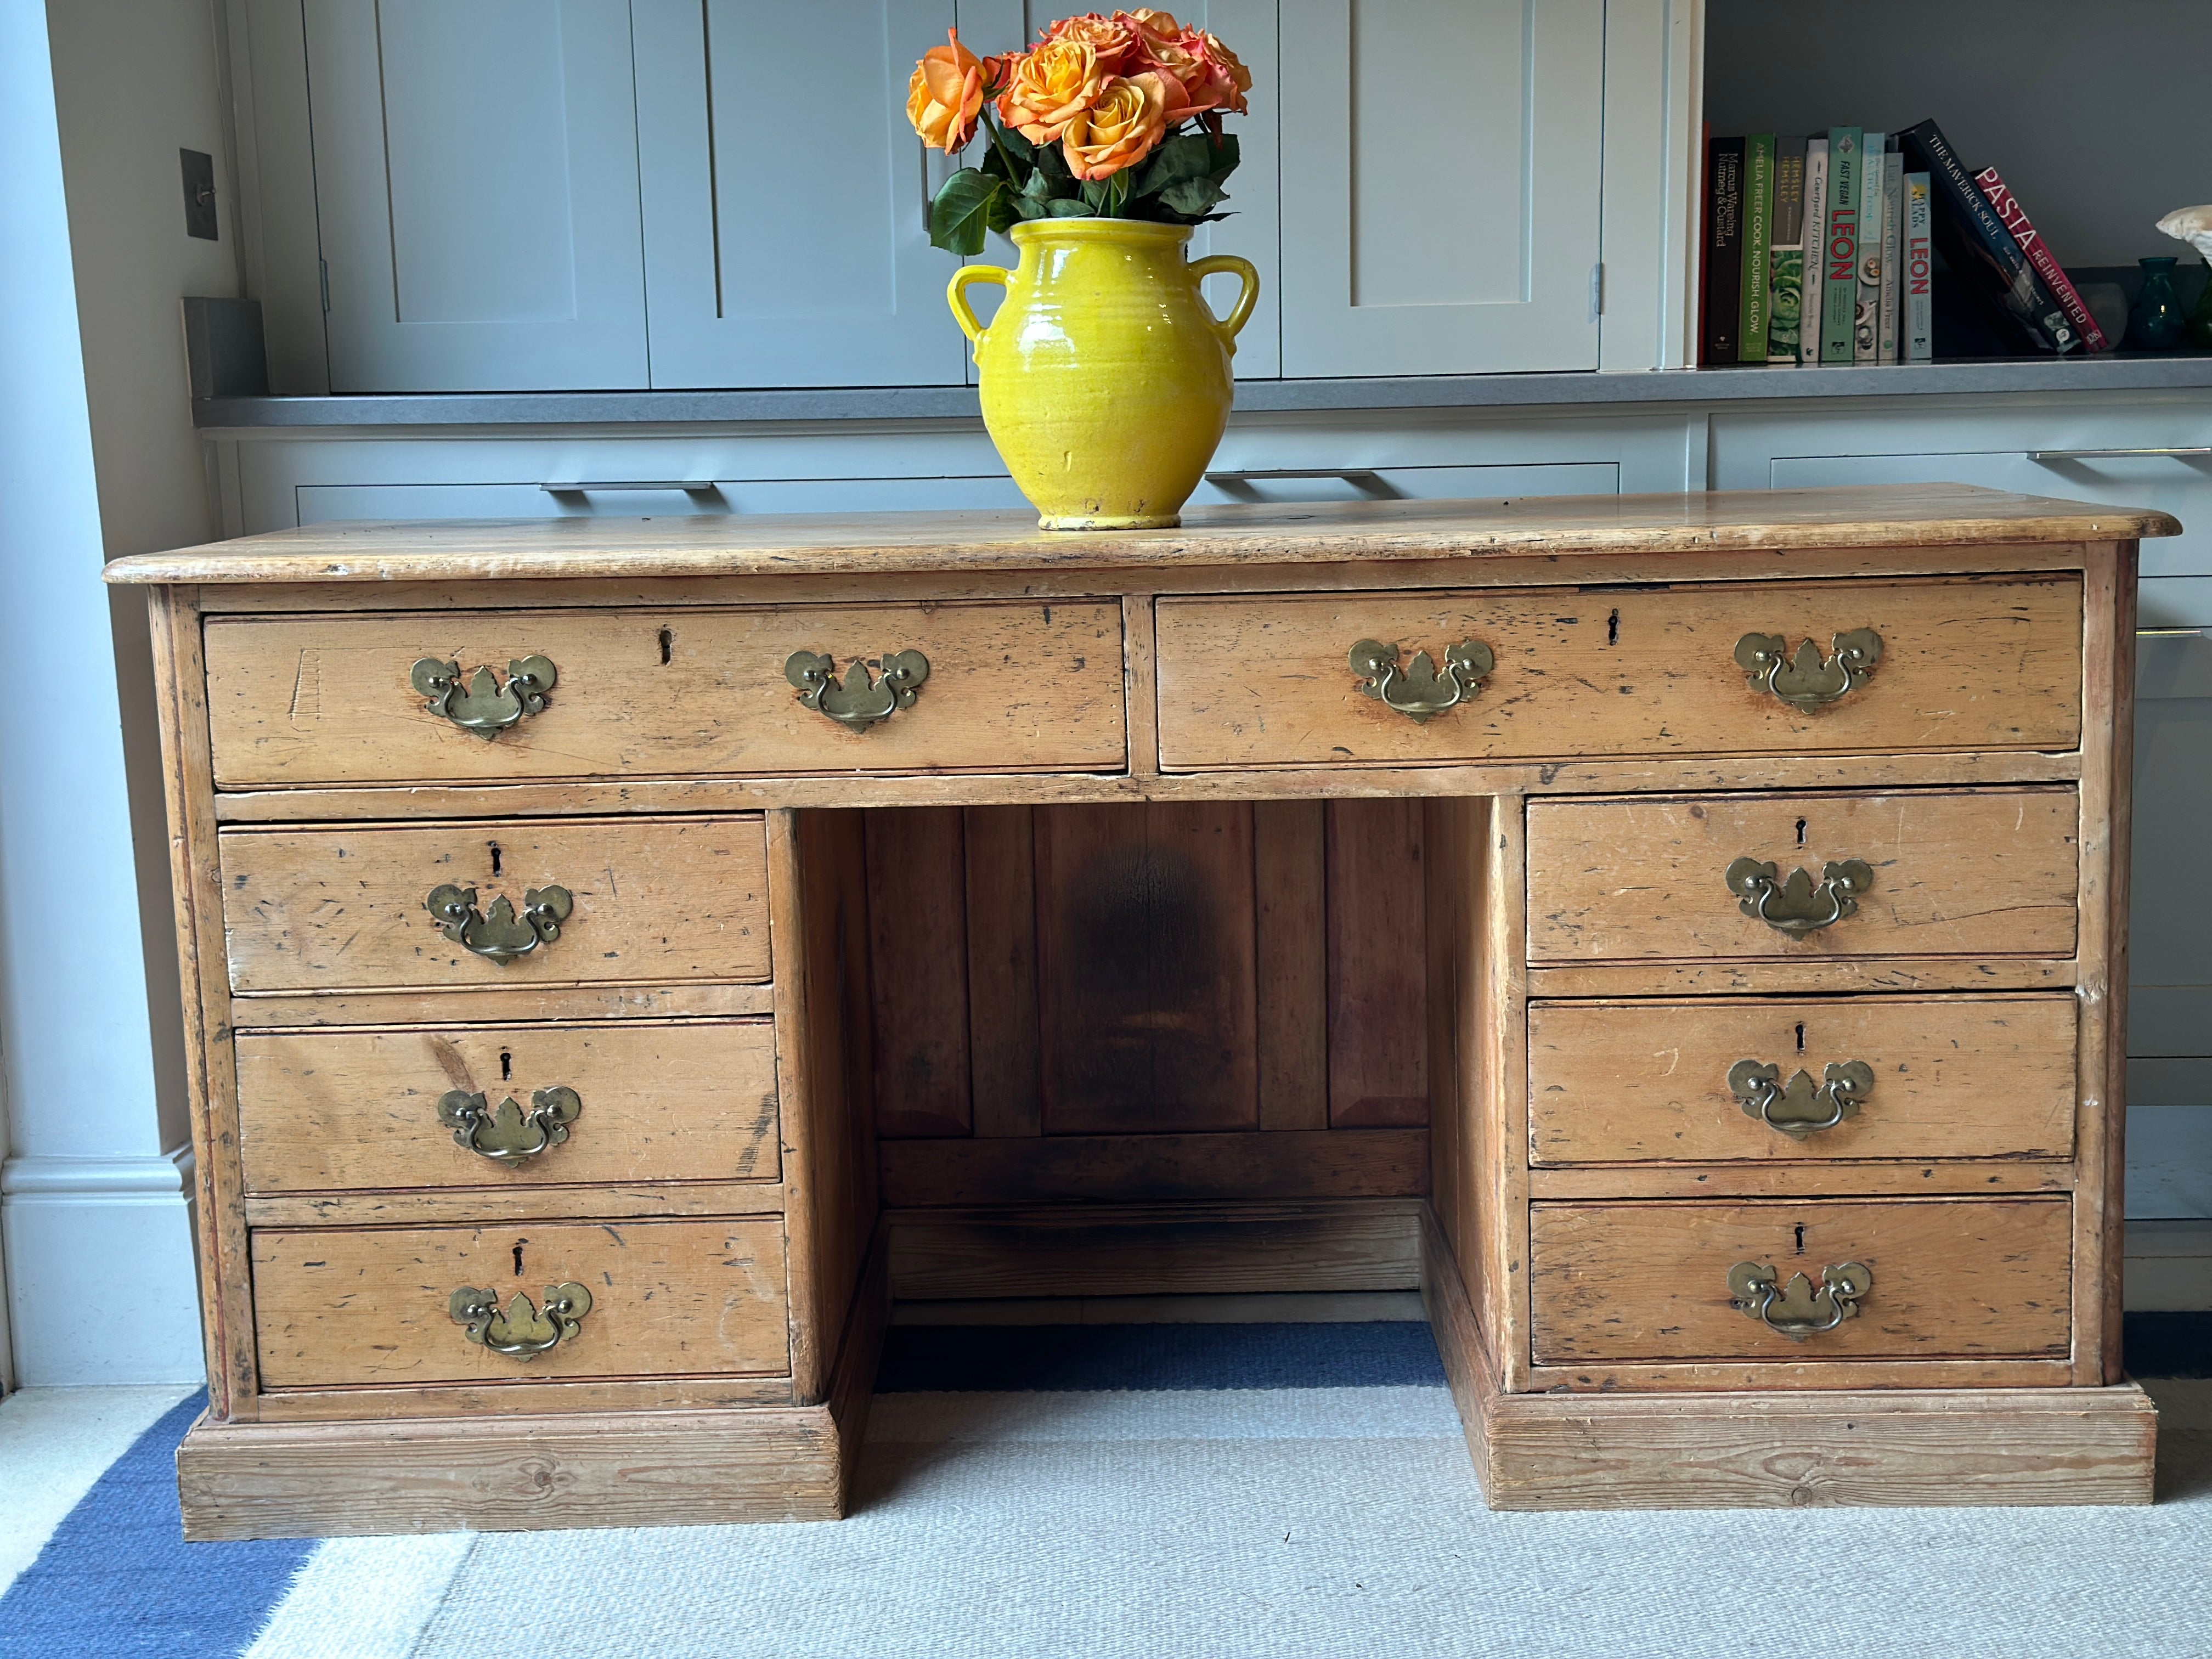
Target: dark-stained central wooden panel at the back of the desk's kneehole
column 1147, row 970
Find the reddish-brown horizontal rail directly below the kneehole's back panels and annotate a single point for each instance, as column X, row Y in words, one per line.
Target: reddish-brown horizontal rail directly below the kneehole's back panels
column 1142, row 1169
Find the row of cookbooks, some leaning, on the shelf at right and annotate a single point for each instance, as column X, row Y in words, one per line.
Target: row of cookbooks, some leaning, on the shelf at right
column 1830, row 255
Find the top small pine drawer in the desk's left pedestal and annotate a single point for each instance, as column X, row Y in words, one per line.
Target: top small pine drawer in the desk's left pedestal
column 348, row 910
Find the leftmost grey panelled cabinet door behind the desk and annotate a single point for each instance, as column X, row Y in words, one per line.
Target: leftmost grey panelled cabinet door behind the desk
column 477, row 194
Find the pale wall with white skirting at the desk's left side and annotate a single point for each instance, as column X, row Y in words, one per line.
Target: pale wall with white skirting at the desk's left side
column 101, row 459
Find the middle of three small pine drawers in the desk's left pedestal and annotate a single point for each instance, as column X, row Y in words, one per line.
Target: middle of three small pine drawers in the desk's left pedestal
column 326, row 1112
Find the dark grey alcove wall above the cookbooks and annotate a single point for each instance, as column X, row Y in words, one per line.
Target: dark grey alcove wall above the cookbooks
column 2096, row 114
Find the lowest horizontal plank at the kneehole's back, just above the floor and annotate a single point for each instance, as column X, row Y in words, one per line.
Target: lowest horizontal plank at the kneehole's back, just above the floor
column 1154, row 1251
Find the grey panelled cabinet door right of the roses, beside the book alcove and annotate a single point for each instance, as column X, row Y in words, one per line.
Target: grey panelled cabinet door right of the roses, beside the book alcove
column 1441, row 167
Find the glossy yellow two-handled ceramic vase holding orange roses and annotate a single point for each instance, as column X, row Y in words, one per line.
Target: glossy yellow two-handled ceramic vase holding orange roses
column 1105, row 375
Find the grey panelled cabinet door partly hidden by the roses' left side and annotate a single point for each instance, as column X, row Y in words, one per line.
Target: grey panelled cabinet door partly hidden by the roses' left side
column 786, row 198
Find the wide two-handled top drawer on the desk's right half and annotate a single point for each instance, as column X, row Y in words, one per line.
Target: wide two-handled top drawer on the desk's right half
column 1965, row 665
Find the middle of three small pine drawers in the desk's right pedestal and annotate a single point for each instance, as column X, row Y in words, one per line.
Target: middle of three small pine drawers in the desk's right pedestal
column 1631, row 1083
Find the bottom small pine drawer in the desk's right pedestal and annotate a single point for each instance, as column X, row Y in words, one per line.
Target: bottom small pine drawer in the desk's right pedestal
column 1948, row 1280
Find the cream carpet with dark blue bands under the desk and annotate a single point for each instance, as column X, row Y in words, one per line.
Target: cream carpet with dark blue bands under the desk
column 1185, row 1492
